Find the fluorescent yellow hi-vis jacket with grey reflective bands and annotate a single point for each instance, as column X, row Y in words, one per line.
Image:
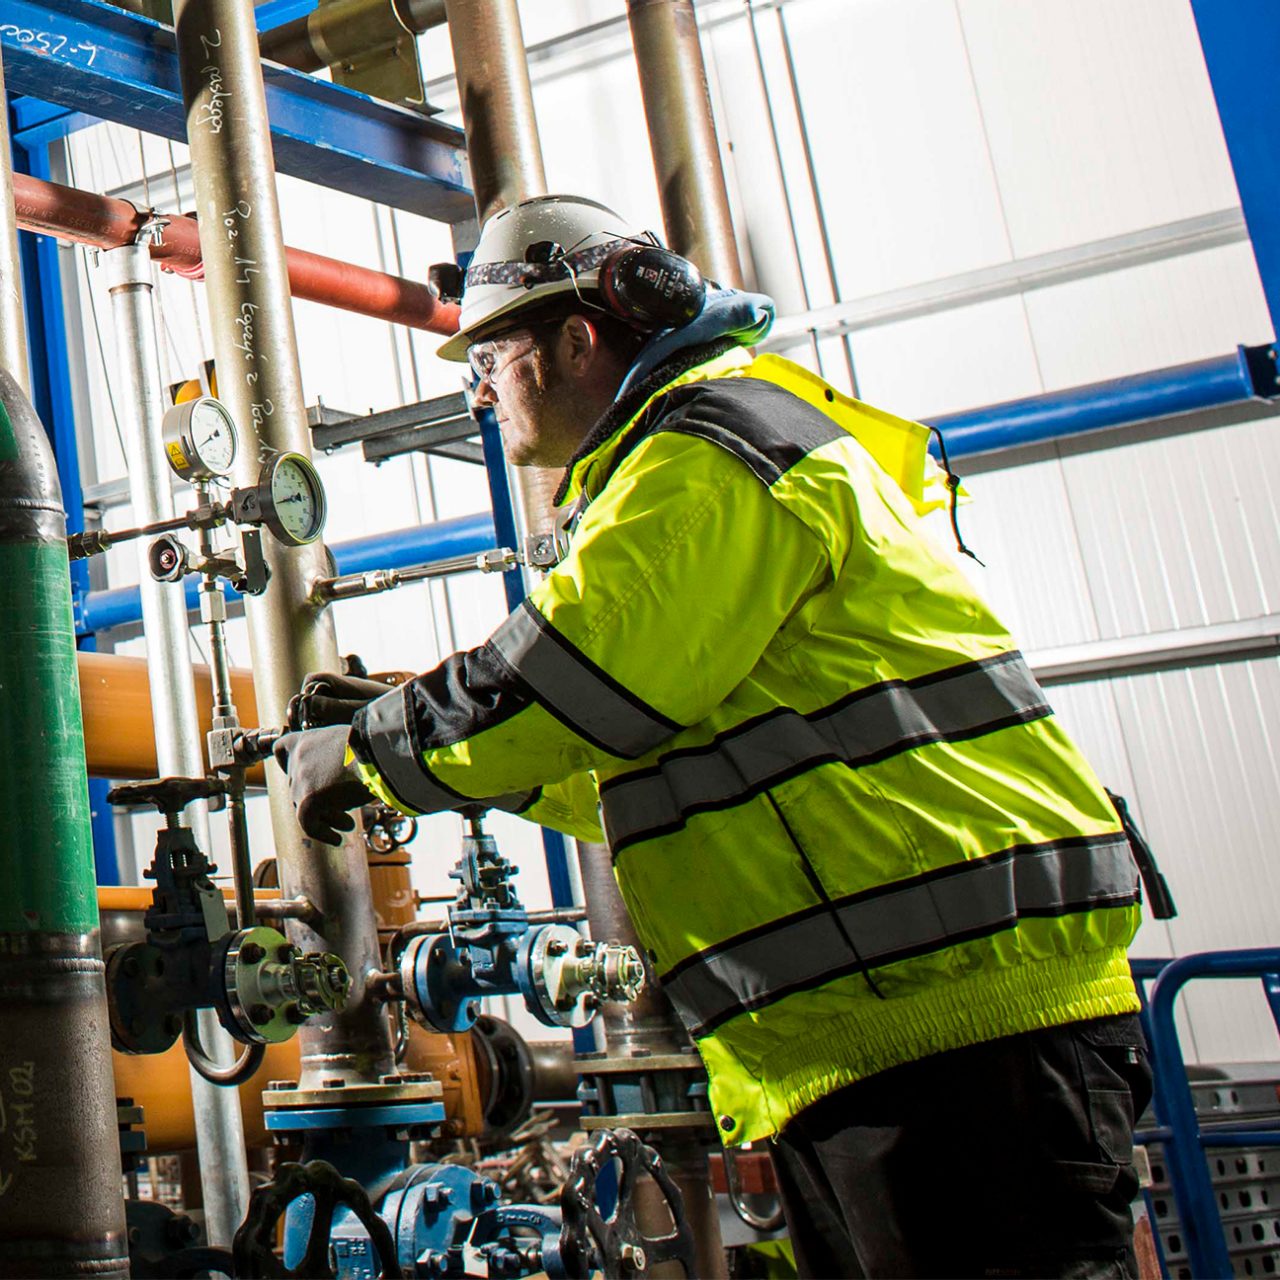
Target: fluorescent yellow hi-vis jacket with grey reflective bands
column 848, row 828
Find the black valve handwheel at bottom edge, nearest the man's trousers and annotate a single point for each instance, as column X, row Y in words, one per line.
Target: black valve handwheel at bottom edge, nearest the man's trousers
column 615, row 1245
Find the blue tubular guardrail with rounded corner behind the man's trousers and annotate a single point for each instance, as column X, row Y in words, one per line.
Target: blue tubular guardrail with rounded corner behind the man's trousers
column 1181, row 1133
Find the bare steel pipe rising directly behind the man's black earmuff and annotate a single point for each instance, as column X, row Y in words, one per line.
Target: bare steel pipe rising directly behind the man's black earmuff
column 683, row 136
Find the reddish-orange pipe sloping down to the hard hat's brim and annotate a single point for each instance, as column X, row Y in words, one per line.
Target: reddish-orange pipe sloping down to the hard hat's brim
column 104, row 222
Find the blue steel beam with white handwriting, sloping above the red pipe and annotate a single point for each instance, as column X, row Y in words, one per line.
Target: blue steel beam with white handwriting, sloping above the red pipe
column 118, row 66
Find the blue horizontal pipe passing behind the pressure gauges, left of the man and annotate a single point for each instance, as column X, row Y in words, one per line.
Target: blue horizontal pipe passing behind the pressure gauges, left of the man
column 463, row 536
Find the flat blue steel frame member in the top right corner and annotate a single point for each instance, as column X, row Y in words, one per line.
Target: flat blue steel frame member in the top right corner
column 1242, row 51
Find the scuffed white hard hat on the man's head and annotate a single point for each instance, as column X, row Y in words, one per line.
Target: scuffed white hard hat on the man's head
column 531, row 253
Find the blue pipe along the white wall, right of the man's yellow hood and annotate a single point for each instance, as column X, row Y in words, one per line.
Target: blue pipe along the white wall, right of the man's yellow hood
column 1162, row 394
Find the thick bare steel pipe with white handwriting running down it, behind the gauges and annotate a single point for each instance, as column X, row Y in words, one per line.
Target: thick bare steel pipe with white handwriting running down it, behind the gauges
column 259, row 378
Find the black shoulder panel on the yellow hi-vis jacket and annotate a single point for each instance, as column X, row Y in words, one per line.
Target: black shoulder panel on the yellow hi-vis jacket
column 767, row 427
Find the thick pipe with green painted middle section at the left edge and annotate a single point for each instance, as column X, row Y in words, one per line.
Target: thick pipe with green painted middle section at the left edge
column 61, row 1206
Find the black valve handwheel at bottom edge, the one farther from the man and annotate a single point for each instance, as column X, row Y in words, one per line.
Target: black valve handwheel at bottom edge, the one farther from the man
column 253, row 1249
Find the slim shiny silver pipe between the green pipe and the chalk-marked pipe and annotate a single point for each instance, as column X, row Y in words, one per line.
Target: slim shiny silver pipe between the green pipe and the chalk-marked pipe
column 180, row 751
